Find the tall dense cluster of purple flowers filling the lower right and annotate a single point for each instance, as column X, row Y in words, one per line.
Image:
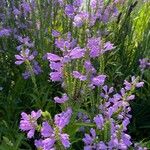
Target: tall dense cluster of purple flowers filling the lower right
column 113, row 119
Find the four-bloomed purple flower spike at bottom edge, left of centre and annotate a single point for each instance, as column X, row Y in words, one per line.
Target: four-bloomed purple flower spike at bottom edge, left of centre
column 51, row 135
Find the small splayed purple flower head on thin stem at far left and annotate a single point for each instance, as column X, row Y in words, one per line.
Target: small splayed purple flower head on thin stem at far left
column 24, row 55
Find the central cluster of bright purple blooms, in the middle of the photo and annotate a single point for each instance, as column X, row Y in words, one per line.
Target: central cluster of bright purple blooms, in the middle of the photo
column 95, row 48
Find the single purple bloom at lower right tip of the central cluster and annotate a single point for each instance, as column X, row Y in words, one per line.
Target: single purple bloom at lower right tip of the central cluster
column 98, row 80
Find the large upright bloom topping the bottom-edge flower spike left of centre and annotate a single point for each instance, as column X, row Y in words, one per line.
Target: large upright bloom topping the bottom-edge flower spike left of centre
column 62, row 119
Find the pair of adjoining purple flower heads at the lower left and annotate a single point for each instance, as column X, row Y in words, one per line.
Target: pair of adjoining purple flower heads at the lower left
column 49, row 132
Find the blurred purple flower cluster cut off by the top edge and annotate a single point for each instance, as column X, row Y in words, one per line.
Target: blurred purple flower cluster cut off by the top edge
column 98, row 11
